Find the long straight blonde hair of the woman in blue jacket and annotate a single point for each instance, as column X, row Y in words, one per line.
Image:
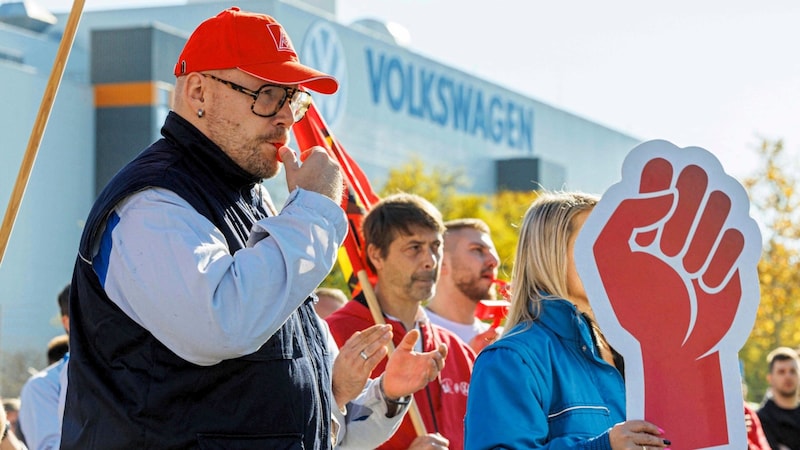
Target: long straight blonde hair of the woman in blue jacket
column 540, row 265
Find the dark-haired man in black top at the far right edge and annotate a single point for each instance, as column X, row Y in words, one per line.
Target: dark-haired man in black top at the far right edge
column 780, row 414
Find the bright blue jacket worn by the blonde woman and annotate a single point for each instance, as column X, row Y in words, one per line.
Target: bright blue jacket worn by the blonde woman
column 544, row 385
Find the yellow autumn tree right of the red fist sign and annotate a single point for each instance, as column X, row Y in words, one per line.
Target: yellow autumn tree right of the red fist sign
column 776, row 204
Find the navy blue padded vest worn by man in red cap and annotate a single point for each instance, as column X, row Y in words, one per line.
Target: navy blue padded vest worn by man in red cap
column 127, row 390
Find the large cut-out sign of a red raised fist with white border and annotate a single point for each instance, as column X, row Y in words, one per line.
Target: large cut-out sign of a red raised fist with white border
column 669, row 261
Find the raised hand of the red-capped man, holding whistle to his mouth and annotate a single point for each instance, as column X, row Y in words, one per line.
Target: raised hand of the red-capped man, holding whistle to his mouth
column 318, row 172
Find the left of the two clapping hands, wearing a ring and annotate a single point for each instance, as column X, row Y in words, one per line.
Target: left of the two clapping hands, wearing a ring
column 351, row 369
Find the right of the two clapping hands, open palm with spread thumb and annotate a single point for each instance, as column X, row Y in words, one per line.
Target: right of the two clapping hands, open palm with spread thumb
column 408, row 371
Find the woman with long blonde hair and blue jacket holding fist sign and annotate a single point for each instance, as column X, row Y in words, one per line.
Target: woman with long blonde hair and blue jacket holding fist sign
column 552, row 381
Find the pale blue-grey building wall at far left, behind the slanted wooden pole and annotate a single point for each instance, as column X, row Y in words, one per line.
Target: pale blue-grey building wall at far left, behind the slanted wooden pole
column 41, row 252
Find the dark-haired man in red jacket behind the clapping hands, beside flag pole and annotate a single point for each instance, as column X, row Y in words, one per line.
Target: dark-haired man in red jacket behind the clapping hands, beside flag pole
column 403, row 238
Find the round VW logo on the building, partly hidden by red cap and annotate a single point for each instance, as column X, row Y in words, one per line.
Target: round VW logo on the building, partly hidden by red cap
column 323, row 51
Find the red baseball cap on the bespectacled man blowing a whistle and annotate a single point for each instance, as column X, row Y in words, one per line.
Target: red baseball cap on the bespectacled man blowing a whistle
column 253, row 43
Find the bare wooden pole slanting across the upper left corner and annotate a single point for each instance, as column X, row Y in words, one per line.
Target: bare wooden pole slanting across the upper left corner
column 41, row 122
